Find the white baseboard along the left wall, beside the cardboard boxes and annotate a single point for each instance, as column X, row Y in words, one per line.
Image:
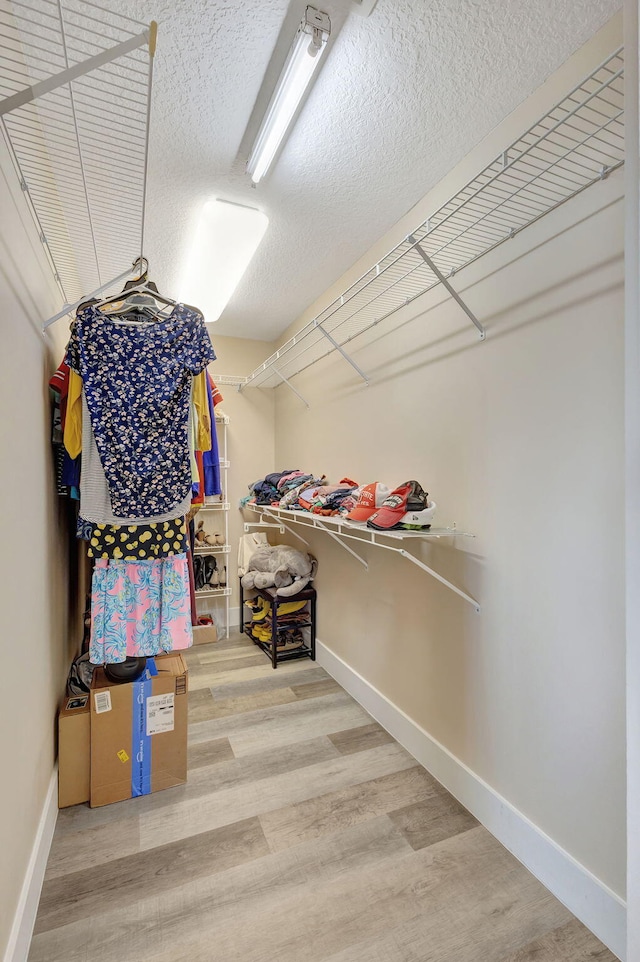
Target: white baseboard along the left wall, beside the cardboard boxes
column 22, row 929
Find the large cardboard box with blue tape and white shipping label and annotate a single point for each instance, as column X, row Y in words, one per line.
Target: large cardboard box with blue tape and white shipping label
column 139, row 732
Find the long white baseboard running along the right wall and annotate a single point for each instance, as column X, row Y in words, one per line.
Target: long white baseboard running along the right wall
column 596, row 905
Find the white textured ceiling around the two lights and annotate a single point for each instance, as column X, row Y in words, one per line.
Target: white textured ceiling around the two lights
column 402, row 96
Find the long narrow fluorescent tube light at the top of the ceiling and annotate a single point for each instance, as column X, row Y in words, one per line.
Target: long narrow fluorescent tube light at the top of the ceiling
column 301, row 64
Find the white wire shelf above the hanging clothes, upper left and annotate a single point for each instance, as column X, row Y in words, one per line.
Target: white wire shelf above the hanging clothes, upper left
column 75, row 98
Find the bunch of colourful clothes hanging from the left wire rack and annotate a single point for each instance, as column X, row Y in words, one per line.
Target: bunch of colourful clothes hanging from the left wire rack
column 128, row 412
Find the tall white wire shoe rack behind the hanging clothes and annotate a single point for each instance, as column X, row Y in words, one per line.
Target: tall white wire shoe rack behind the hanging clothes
column 214, row 597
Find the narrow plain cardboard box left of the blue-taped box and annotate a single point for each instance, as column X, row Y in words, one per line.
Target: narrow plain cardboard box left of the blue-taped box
column 74, row 735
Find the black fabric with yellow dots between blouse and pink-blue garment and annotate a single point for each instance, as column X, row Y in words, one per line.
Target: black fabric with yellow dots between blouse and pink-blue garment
column 135, row 542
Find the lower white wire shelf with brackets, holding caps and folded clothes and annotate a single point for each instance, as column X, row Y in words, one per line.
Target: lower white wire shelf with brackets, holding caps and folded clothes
column 340, row 528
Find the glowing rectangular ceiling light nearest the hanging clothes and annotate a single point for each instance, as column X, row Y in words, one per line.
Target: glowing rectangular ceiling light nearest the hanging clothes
column 226, row 238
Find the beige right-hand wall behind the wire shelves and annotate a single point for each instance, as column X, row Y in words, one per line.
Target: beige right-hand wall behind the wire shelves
column 520, row 440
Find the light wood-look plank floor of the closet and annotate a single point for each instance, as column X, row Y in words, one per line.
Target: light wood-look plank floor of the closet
column 305, row 833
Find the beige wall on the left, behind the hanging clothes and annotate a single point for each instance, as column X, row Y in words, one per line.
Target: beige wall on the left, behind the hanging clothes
column 37, row 637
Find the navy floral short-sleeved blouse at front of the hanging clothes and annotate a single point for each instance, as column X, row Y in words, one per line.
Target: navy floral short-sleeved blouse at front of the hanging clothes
column 137, row 380
